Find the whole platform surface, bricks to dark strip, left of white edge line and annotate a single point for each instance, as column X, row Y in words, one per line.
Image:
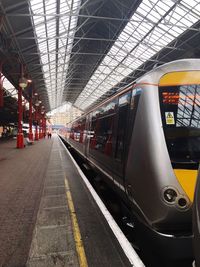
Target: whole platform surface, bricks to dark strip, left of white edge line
column 38, row 226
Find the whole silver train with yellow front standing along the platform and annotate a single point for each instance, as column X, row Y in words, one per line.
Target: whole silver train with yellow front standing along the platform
column 145, row 143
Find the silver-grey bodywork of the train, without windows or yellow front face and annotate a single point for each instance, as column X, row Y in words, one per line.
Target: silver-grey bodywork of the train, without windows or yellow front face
column 147, row 170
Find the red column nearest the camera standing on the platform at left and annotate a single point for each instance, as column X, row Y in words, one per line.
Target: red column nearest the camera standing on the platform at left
column 20, row 136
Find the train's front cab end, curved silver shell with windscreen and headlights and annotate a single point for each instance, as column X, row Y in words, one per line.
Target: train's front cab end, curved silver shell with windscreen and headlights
column 164, row 155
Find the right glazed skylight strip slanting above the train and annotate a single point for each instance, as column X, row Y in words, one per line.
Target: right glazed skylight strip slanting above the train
column 154, row 25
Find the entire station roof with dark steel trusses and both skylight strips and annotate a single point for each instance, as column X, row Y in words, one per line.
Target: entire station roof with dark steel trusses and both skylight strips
column 82, row 51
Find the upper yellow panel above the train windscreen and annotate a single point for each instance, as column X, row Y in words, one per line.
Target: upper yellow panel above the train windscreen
column 180, row 78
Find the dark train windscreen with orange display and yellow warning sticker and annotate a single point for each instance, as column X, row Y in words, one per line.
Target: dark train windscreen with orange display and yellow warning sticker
column 180, row 111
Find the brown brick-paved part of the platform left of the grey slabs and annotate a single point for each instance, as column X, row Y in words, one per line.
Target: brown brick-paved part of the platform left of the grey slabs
column 22, row 173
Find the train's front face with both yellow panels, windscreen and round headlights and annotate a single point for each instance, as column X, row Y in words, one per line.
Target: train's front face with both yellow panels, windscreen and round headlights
column 179, row 95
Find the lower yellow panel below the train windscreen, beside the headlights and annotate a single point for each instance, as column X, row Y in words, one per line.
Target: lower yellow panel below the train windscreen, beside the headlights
column 187, row 179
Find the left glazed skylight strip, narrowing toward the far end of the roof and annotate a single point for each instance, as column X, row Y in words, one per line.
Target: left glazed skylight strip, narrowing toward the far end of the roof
column 52, row 21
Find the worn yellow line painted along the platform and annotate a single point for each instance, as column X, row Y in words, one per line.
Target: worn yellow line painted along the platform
column 76, row 231
